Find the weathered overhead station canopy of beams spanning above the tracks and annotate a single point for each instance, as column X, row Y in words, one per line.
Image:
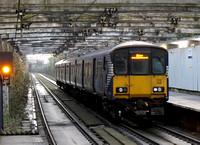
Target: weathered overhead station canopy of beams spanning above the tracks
column 76, row 27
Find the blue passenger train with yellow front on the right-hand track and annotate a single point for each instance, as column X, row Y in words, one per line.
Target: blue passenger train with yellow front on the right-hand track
column 131, row 77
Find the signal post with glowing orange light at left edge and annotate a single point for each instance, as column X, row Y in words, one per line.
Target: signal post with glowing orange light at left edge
column 6, row 67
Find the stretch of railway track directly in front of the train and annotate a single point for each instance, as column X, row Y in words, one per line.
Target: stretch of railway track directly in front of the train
column 161, row 134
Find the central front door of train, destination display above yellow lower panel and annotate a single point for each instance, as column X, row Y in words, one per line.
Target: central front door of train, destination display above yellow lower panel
column 140, row 80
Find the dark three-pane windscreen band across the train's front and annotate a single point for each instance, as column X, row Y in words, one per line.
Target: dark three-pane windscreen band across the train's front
column 139, row 61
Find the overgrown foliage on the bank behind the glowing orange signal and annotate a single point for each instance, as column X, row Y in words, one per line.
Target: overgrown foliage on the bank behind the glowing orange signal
column 18, row 99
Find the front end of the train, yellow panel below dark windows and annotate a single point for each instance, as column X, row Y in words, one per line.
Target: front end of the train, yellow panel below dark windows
column 139, row 80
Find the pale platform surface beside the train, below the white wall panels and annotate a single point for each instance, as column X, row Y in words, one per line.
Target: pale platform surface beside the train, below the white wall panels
column 187, row 101
